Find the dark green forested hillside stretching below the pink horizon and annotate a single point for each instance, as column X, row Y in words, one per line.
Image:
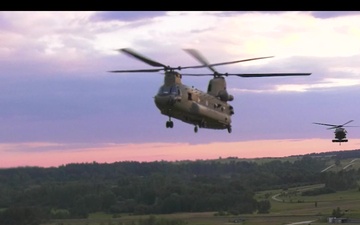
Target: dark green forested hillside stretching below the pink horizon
column 223, row 185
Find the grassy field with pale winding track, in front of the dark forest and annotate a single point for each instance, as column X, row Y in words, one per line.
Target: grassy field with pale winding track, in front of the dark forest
column 286, row 208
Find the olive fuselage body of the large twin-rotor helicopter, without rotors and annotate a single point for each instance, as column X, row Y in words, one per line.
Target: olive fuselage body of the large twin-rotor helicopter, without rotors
column 191, row 105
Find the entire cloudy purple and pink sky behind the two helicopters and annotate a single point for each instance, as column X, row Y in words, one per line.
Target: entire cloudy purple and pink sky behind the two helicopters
column 59, row 104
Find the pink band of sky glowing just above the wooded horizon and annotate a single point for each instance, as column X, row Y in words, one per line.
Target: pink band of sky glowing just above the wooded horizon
column 15, row 155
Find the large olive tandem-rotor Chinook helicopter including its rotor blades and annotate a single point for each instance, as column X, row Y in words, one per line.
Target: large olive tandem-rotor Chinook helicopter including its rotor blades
column 202, row 109
